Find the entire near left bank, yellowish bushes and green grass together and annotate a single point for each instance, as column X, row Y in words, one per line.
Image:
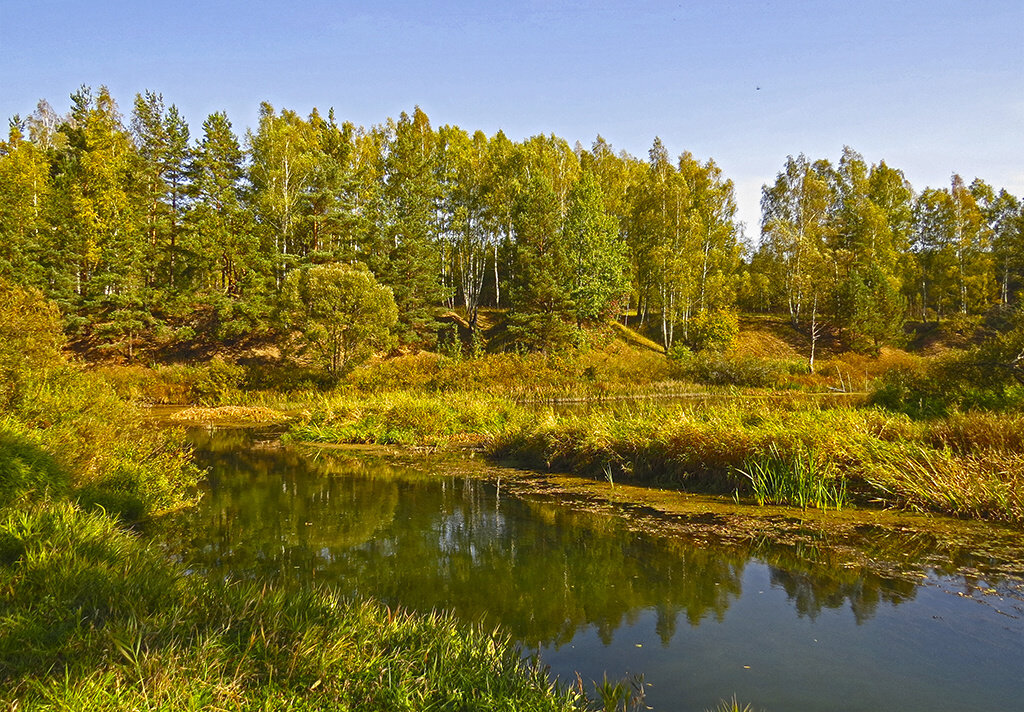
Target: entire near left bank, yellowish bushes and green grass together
column 94, row 616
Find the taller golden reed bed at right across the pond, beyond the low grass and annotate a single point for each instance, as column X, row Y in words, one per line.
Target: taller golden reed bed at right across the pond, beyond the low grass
column 971, row 466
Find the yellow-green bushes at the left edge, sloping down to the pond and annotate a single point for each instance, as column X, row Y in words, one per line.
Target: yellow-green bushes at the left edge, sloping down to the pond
column 67, row 432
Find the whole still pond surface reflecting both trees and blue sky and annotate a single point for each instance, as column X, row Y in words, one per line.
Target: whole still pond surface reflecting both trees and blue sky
column 594, row 593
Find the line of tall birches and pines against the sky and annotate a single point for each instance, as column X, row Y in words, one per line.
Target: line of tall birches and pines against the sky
column 135, row 227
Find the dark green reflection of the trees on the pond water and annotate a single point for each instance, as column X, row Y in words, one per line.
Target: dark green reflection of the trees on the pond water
column 542, row 570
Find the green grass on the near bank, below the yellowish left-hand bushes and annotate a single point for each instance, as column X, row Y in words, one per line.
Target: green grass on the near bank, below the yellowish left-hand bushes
column 93, row 617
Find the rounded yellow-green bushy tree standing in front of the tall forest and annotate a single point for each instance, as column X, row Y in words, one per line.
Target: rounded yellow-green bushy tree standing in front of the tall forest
column 343, row 314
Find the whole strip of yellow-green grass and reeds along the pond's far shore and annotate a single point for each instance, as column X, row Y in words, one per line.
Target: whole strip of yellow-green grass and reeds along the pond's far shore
column 781, row 450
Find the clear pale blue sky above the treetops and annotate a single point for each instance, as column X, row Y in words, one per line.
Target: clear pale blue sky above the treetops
column 931, row 87
